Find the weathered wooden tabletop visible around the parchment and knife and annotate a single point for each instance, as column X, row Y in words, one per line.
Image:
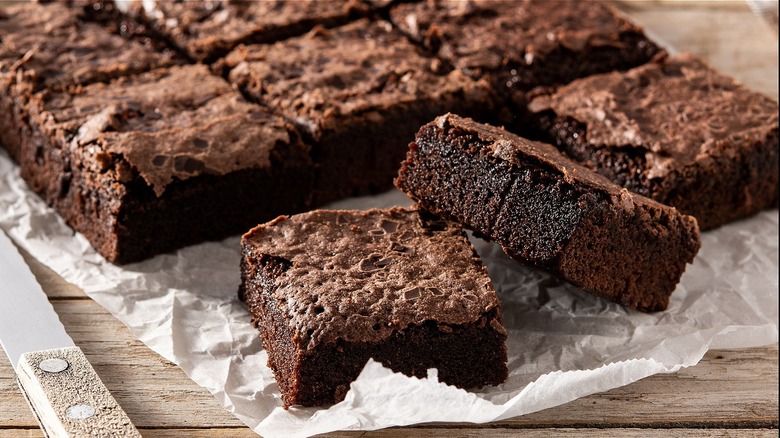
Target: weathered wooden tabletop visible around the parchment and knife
column 730, row 393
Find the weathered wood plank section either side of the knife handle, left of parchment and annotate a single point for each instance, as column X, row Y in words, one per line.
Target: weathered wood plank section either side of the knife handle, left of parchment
column 153, row 392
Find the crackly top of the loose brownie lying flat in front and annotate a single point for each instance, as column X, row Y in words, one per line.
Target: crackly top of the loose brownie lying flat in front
column 360, row 275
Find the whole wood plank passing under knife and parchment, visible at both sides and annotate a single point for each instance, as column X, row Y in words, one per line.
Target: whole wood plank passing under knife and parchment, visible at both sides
column 729, row 387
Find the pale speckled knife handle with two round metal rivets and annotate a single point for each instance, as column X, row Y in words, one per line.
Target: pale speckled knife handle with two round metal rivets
column 67, row 396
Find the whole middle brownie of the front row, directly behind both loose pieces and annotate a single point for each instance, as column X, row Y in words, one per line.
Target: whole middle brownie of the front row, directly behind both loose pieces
column 358, row 93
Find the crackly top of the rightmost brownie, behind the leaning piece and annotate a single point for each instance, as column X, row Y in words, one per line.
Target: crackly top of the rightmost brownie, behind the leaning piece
column 679, row 111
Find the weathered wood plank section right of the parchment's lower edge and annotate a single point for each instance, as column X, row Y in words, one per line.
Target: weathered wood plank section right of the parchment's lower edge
column 727, row 387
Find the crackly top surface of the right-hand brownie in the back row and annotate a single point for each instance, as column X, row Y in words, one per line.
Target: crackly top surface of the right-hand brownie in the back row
column 489, row 34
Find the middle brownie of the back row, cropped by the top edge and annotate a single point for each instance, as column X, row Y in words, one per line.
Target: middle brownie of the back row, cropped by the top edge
column 206, row 30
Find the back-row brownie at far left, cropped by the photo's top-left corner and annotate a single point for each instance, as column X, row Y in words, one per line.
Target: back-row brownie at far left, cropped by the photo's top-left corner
column 47, row 47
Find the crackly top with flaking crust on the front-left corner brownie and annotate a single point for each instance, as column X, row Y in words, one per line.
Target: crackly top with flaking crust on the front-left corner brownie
column 169, row 123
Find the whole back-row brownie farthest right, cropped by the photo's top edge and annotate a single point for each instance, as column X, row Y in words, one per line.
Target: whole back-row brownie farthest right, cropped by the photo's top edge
column 522, row 44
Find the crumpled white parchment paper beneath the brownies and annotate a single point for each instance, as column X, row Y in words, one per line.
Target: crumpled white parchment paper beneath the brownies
column 563, row 344
